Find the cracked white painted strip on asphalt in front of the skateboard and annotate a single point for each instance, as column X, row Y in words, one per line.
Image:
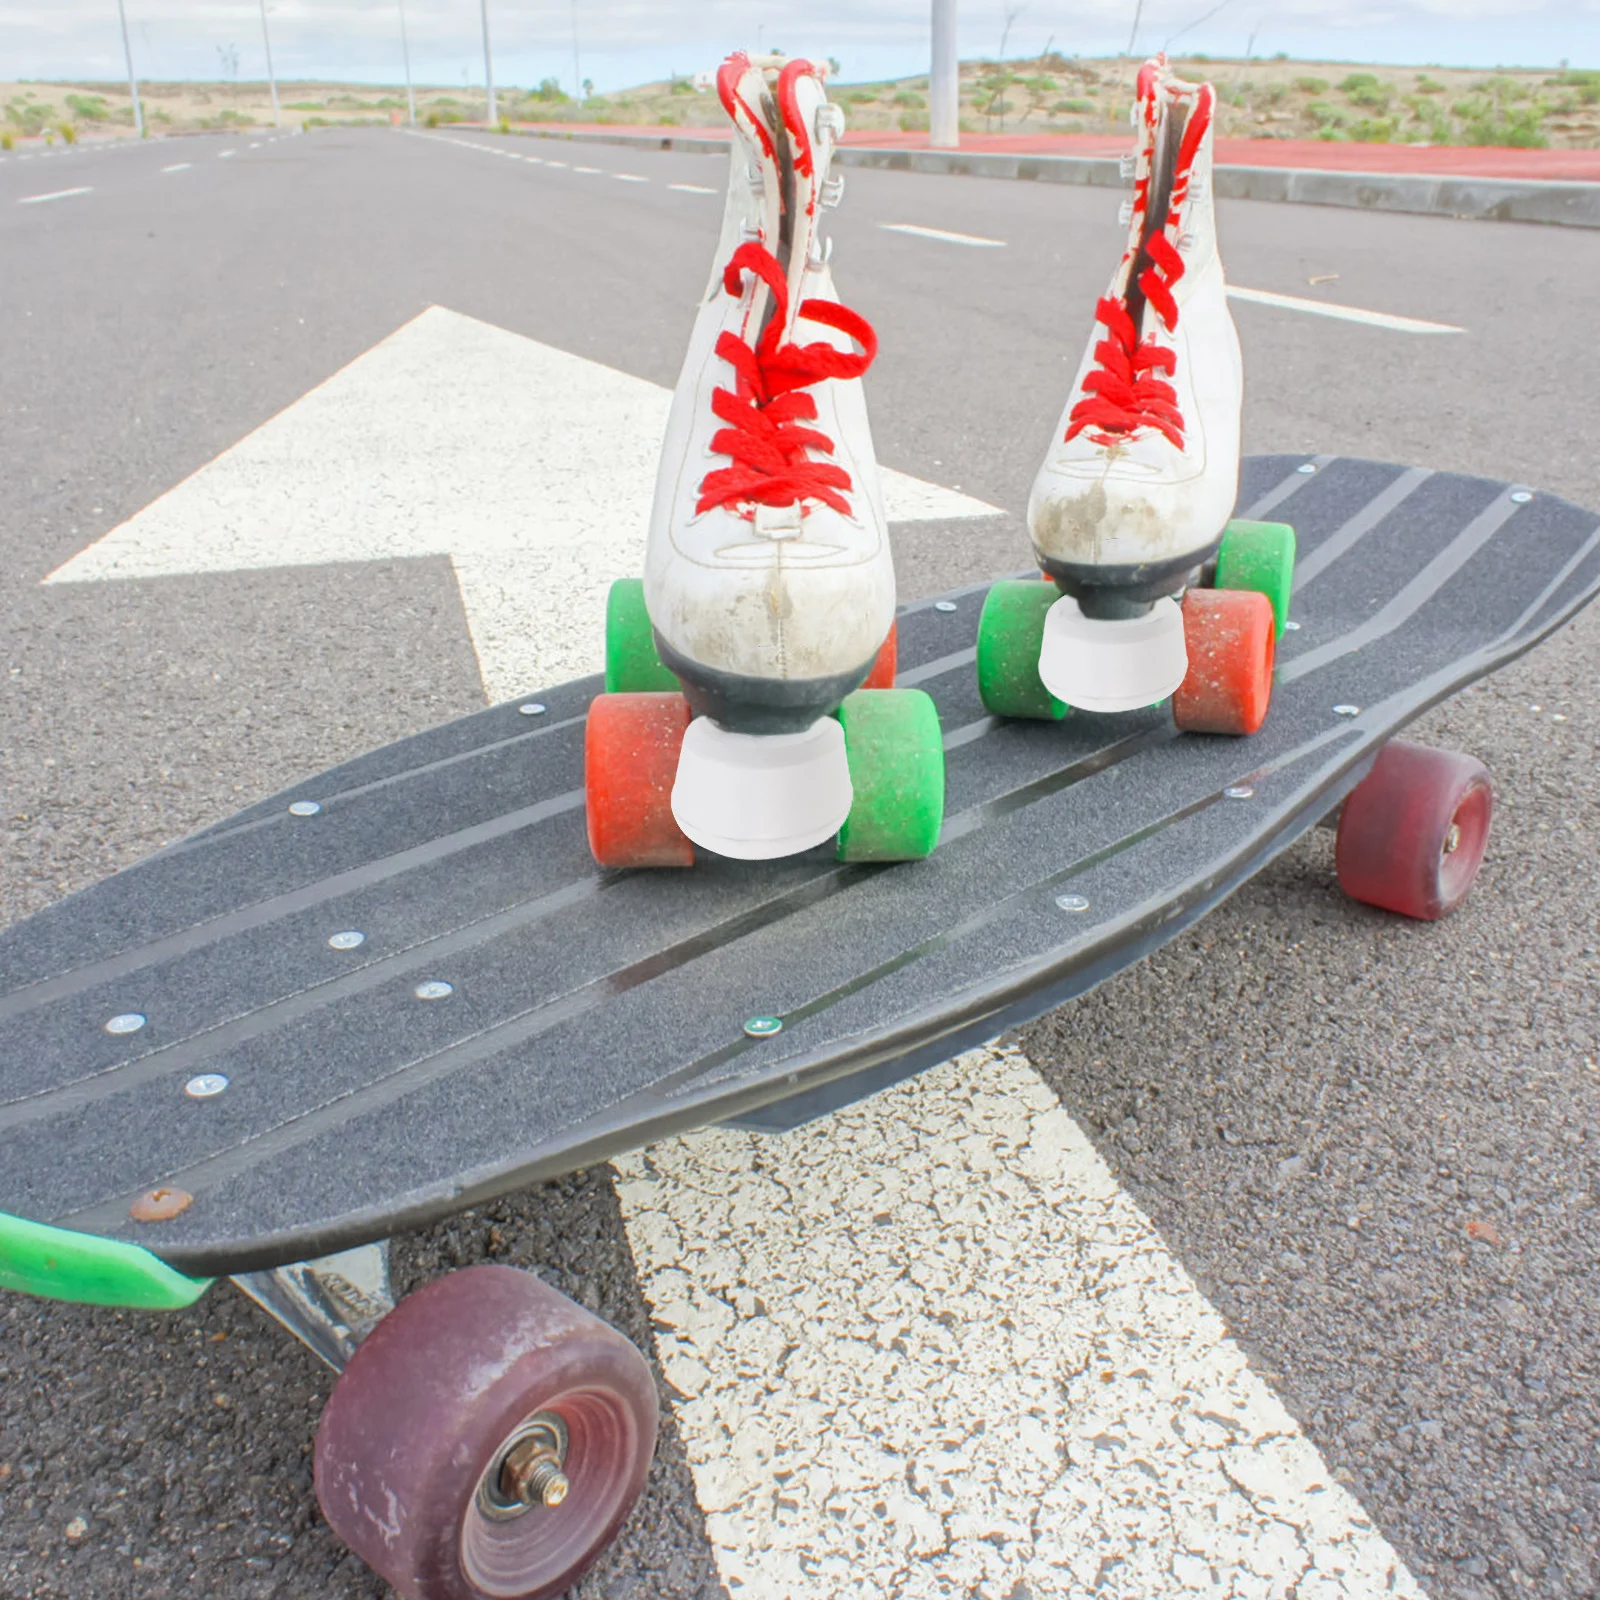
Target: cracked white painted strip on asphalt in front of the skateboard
column 929, row 1348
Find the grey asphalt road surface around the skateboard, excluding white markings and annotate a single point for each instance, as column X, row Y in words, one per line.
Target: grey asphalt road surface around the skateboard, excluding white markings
column 1399, row 1082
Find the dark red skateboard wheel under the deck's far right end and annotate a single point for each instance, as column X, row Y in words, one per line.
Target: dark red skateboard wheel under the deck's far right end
column 1414, row 831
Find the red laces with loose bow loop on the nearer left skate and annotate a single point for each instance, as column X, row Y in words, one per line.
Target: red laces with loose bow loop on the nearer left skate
column 767, row 438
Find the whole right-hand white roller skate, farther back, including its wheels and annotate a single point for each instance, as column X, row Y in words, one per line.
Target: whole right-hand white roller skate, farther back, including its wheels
column 1151, row 593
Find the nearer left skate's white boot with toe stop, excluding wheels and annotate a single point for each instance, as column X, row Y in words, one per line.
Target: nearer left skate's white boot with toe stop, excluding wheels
column 767, row 577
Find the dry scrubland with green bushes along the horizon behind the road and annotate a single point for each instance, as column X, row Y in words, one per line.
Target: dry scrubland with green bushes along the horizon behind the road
column 1052, row 94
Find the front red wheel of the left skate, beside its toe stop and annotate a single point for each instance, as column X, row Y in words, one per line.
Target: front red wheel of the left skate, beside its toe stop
column 631, row 758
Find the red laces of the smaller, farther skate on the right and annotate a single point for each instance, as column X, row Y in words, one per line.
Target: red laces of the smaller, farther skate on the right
column 1126, row 390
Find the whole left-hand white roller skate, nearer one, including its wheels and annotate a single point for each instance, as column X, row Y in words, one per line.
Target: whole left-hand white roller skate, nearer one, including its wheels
column 748, row 705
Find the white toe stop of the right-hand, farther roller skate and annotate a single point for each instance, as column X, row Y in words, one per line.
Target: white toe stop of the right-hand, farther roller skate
column 1119, row 665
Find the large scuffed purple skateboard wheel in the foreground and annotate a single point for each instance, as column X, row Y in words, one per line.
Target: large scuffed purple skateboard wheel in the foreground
column 486, row 1441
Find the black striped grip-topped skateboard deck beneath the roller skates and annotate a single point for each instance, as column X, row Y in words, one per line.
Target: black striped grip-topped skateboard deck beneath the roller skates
column 402, row 986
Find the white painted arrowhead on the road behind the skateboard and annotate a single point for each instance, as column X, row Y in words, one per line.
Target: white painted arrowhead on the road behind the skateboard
column 540, row 495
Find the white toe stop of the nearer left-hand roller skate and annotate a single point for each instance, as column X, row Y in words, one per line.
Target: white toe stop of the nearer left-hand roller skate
column 758, row 796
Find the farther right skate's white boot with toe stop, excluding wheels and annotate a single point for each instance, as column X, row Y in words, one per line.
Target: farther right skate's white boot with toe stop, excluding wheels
column 1142, row 481
